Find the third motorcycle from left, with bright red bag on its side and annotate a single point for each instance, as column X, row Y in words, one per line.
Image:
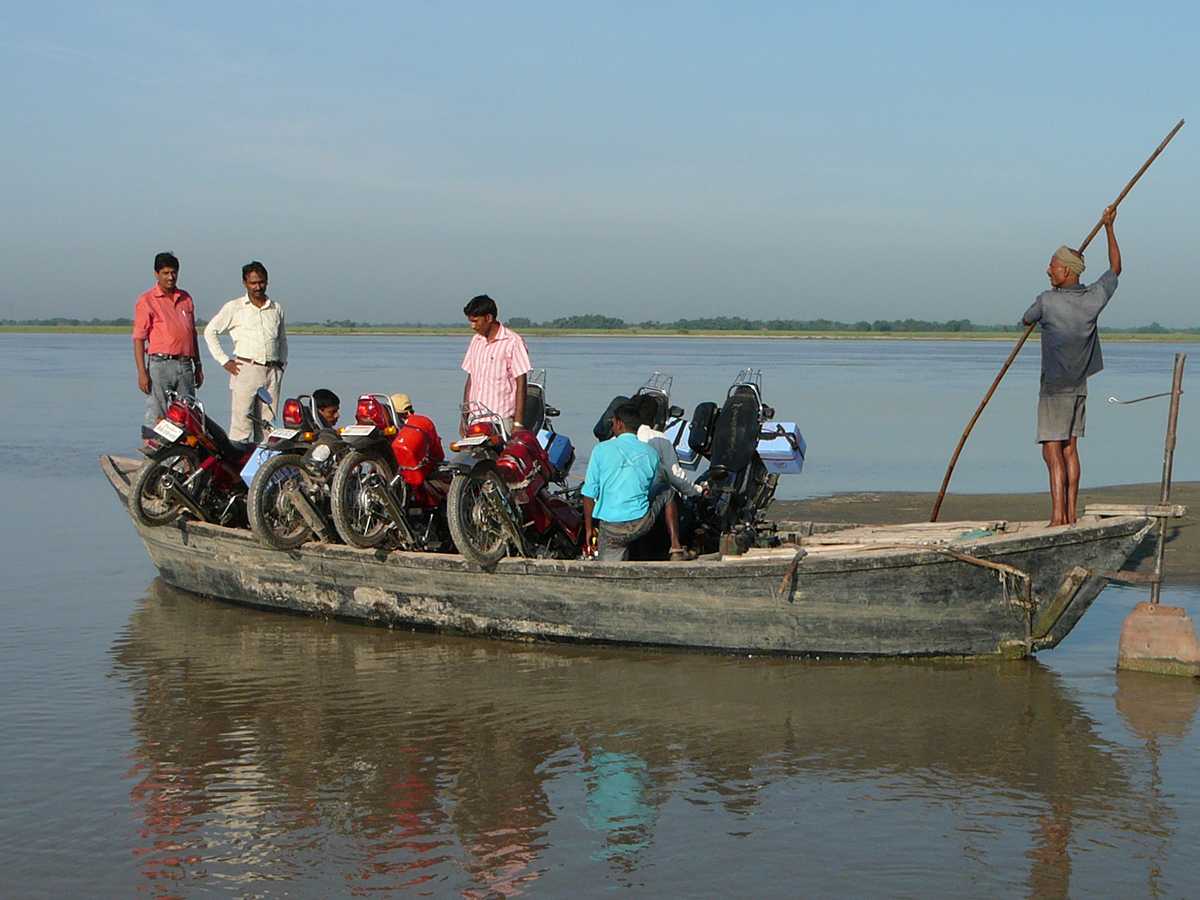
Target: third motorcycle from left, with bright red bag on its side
column 391, row 487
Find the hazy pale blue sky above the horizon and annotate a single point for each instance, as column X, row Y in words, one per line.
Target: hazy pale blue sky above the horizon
column 388, row 161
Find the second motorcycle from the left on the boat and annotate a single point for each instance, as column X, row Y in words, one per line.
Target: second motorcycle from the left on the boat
column 290, row 475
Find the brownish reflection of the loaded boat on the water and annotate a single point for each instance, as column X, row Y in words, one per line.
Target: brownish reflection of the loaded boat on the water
column 341, row 759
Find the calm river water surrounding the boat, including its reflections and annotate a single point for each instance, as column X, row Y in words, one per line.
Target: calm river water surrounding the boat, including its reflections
column 160, row 743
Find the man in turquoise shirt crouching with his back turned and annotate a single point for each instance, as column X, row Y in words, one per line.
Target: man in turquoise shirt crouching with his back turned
column 620, row 505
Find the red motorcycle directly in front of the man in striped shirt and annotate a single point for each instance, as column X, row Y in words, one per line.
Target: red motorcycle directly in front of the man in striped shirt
column 509, row 489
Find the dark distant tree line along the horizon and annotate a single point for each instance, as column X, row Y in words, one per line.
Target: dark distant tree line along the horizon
column 719, row 323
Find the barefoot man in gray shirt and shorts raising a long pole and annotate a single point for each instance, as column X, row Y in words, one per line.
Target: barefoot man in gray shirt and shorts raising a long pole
column 1071, row 353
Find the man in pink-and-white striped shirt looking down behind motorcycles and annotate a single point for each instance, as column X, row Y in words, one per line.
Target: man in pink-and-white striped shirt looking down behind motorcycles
column 497, row 364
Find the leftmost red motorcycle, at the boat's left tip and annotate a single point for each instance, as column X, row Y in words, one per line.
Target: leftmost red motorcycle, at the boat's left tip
column 194, row 469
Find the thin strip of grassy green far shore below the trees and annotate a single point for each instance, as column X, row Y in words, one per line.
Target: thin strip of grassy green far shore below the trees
column 383, row 332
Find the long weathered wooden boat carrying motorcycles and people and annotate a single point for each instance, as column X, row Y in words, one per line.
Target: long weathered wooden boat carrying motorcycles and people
column 955, row 589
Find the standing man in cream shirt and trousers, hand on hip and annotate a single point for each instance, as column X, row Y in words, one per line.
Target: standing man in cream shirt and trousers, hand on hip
column 255, row 322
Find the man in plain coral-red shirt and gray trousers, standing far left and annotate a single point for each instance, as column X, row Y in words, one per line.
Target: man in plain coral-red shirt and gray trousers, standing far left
column 166, row 353
